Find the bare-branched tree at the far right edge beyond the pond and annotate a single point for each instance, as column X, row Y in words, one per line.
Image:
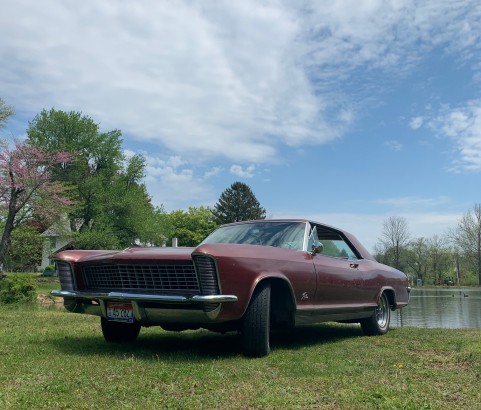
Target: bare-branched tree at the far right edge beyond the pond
column 467, row 238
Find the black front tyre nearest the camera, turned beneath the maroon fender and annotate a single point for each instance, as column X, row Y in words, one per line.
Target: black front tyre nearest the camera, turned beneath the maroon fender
column 256, row 323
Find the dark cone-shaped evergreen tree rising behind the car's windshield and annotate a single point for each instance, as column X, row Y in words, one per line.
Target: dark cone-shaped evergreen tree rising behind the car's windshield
column 238, row 203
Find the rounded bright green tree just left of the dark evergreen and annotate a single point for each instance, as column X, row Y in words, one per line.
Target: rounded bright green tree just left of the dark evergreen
column 191, row 227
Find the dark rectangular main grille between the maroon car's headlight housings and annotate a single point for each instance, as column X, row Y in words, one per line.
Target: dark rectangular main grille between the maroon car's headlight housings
column 167, row 277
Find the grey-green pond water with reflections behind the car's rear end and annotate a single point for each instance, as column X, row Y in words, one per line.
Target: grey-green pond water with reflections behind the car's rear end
column 442, row 308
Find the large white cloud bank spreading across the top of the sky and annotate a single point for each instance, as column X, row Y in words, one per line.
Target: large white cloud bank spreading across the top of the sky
column 225, row 79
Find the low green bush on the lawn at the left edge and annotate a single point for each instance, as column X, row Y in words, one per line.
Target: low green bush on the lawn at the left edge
column 18, row 289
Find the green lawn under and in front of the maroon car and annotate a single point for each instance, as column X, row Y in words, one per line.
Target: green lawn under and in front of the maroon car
column 58, row 360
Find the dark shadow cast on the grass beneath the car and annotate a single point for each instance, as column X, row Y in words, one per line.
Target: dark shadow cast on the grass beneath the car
column 201, row 344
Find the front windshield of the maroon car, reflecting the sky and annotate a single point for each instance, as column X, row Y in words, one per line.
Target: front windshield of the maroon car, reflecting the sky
column 279, row 234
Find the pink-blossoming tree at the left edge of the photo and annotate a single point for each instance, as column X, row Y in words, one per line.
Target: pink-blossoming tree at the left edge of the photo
column 27, row 190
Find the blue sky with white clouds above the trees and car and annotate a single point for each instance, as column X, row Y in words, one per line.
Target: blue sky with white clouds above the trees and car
column 344, row 112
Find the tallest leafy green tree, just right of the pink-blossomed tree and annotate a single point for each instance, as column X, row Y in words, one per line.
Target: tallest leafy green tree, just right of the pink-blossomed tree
column 96, row 159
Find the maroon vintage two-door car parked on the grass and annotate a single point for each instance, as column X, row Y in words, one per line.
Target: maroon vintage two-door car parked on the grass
column 250, row 277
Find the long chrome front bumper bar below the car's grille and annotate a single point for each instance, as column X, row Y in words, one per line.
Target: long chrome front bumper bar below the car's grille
column 144, row 297
